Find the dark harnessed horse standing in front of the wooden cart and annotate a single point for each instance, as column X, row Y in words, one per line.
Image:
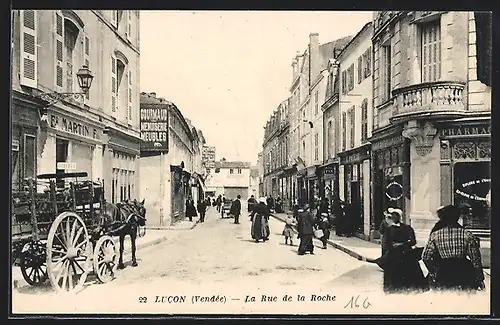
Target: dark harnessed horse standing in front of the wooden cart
column 128, row 216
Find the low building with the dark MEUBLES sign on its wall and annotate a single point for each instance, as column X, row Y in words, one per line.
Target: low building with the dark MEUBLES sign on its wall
column 171, row 160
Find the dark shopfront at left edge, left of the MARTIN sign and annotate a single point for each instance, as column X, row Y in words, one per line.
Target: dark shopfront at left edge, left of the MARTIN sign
column 25, row 119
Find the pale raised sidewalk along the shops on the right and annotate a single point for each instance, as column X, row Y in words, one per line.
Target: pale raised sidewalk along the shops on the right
column 355, row 247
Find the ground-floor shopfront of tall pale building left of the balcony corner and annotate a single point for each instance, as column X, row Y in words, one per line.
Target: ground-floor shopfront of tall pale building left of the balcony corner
column 355, row 176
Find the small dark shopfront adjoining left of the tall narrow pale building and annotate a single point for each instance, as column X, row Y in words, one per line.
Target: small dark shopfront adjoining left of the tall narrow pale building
column 329, row 187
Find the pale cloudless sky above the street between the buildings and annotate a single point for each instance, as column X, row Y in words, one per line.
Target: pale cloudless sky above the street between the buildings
column 228, row 70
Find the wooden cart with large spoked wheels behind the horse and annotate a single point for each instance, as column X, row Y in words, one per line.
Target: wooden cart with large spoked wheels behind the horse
column 57, row 233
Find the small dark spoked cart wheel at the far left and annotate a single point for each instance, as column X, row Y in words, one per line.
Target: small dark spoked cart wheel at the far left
column 33, row 263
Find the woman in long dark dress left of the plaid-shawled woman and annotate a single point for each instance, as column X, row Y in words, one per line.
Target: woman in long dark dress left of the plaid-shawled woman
column 402, row 270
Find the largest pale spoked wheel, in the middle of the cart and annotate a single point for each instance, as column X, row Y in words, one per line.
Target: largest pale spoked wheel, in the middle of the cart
column 69, row 252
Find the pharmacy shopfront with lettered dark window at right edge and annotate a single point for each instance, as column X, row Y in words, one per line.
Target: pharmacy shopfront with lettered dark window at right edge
column 465, row 159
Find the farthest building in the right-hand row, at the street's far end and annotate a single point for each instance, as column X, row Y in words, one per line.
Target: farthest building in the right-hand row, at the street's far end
column 277, row 178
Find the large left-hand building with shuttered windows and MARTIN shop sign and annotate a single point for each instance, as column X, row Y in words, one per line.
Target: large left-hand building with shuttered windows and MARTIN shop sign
column 96, row 132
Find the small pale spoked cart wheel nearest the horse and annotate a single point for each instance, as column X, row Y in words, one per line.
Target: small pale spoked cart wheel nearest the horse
column 105, row 259
